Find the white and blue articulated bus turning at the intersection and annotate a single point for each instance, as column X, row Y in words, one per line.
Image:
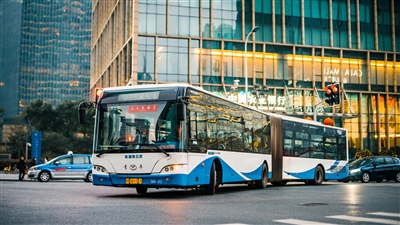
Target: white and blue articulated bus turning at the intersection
column 181, row 136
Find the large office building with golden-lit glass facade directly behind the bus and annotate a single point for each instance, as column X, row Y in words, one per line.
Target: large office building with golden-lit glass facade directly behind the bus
column 301, row 47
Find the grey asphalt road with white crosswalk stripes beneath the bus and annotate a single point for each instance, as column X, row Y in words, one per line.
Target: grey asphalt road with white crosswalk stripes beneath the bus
column 77, row 202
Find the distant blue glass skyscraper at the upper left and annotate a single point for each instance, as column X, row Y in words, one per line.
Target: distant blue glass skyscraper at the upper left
column 45, row 52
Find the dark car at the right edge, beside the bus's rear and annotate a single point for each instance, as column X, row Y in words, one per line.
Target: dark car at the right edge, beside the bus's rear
column 375, row 168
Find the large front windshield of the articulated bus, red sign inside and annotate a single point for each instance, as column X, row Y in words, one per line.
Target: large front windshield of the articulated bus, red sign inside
column 132, row 127
